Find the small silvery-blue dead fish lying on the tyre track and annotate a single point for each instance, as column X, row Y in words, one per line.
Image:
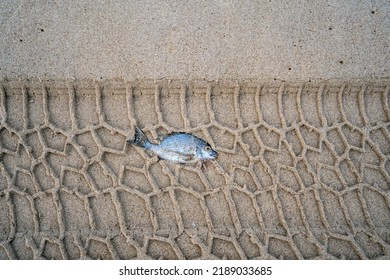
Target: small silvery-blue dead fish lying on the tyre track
column 178, row 147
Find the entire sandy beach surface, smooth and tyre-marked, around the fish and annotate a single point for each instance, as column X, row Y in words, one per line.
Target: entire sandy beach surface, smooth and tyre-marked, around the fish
column 298, row 112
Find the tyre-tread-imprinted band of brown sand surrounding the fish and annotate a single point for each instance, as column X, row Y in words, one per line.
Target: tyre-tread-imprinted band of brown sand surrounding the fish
column 303, row 171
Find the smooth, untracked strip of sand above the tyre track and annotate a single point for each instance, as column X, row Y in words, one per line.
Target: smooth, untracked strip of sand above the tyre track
column 286, row 40
